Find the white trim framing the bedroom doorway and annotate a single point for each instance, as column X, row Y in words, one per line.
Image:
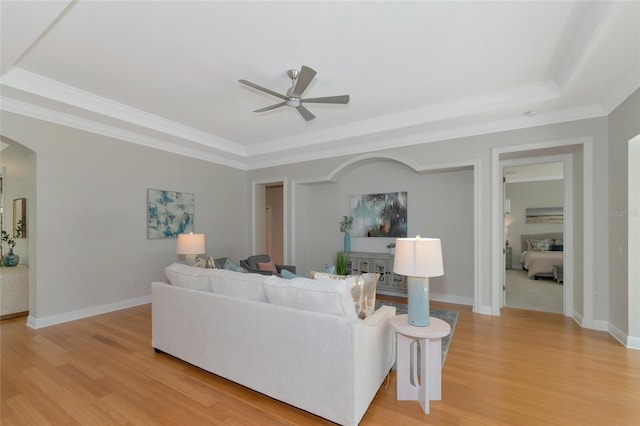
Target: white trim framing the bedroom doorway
column 586, row 319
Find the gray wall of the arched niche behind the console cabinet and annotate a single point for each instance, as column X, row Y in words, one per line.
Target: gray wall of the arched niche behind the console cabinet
column 439, row 205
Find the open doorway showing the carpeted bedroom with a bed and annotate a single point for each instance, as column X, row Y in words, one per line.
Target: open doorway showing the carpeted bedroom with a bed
column 531, row 184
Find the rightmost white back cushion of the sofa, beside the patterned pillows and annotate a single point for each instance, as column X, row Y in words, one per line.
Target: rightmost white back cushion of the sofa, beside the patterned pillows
column 327, row 296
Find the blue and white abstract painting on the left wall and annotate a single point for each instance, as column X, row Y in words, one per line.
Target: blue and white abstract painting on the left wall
column 169, row 213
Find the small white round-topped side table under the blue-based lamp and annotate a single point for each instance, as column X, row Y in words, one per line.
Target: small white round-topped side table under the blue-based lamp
column 429, row 387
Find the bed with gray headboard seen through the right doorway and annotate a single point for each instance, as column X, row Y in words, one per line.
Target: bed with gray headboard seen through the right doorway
column 540, row 253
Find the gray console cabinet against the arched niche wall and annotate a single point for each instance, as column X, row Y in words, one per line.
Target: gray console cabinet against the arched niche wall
column 389, row 283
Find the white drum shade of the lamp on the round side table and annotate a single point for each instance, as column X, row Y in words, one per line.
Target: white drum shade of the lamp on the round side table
column 418, row 257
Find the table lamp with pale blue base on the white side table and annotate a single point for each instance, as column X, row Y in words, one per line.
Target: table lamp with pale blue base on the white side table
column 418, row 259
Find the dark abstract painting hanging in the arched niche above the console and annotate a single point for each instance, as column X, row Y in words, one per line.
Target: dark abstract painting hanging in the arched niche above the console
column 379, row 215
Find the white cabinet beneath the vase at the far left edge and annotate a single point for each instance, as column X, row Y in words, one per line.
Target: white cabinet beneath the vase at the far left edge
column 14, row 291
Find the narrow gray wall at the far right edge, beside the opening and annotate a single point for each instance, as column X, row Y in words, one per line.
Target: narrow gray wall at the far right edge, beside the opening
column 624, row 124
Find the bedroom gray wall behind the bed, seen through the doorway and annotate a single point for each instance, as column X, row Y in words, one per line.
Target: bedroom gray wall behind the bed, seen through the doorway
column 524, row 195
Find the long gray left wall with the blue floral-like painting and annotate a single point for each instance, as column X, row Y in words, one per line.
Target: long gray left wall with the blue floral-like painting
column 89, row 215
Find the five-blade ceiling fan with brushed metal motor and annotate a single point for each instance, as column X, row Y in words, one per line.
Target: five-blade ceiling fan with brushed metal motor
column 299, row 82
